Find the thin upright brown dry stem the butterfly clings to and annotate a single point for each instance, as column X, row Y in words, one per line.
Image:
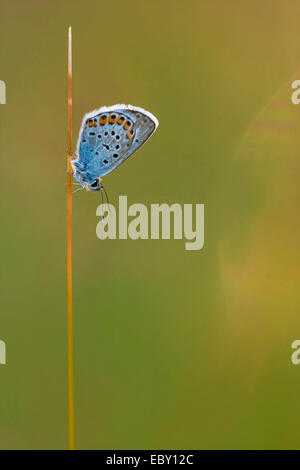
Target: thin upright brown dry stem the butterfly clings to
column 69, row 255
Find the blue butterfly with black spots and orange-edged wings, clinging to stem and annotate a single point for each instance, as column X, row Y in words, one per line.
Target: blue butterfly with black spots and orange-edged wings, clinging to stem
column 108, row 136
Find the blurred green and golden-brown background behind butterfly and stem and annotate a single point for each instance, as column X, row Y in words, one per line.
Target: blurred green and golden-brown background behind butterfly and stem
column 173, row 349
